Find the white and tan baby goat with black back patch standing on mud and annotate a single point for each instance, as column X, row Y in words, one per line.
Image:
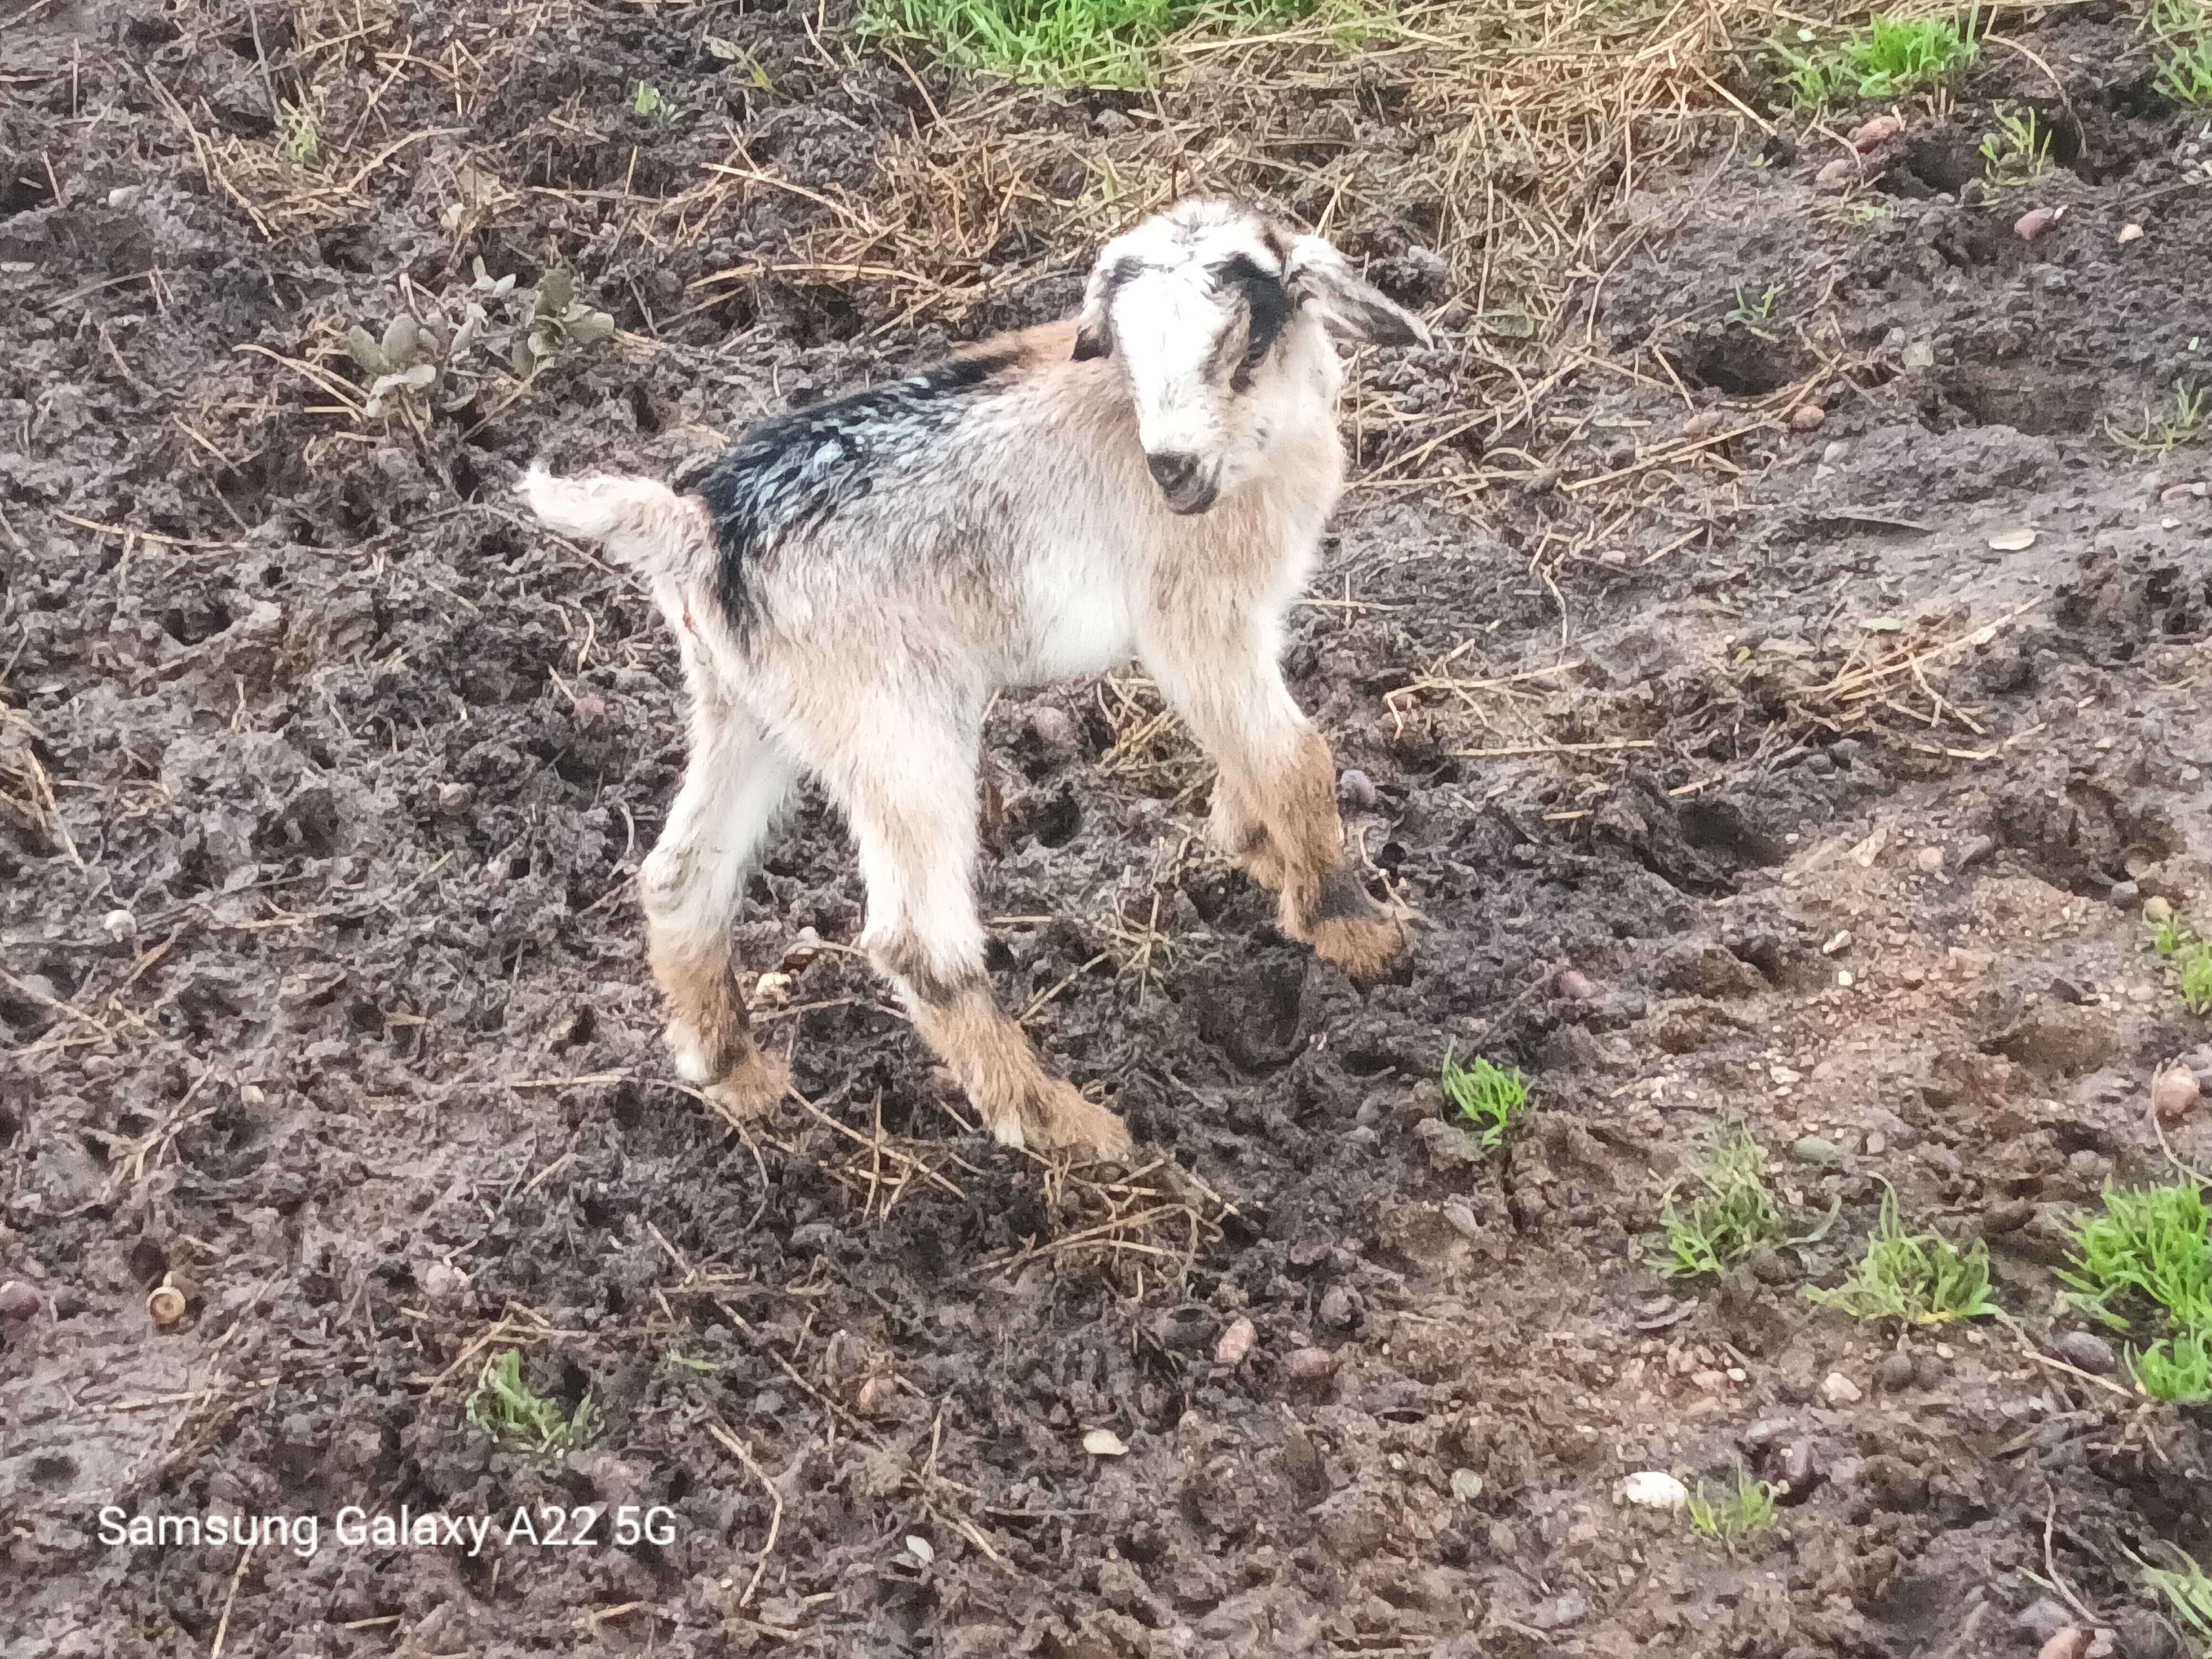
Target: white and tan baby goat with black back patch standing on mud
column 851, row 583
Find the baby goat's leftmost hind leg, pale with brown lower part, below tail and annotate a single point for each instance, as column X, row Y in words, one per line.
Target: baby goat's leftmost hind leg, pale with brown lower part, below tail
column 735, row 784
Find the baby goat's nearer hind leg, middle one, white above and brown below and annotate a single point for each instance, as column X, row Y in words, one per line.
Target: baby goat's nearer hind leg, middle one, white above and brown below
column 910, row 797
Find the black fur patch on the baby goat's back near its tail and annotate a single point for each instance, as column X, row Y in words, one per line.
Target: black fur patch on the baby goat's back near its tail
column 797, row 470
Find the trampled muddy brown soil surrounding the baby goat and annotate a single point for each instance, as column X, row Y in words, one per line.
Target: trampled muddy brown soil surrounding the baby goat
column 1740, row 775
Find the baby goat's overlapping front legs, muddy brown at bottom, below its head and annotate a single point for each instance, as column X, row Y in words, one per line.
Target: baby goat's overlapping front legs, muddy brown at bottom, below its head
column 1275, row 800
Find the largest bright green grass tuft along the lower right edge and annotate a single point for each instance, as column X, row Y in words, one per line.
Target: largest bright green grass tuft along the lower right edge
column 2149, row 1258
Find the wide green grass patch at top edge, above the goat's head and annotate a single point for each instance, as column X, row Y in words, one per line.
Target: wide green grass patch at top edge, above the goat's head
column 1087, row 43
